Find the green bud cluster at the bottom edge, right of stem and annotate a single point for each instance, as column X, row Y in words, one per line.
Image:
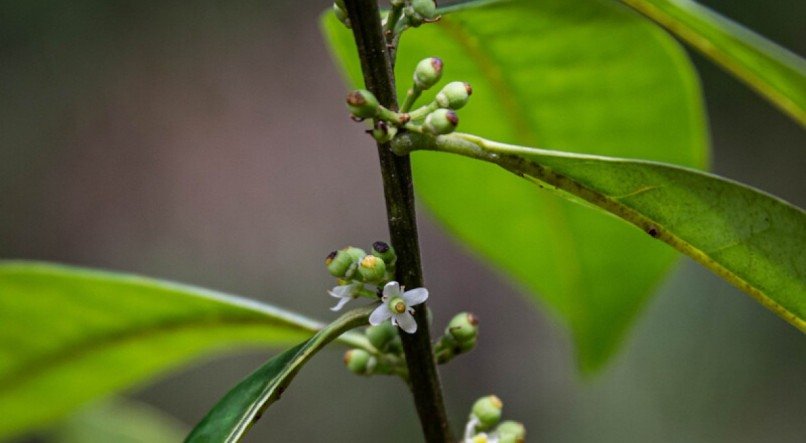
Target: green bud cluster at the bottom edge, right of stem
column 484, row 416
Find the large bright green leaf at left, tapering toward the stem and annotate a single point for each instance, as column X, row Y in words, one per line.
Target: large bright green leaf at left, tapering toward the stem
column 69, row 335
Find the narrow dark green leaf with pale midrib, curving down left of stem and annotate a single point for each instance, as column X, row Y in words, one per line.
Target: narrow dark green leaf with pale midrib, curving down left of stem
column 234, row 414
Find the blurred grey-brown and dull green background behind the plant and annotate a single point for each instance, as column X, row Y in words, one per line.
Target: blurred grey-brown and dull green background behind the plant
column 207, row 142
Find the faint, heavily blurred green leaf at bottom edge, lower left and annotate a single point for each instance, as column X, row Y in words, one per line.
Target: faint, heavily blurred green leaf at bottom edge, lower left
column 119, row 421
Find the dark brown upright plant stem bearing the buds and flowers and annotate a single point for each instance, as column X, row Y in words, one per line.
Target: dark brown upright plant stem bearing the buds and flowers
column 399, row 193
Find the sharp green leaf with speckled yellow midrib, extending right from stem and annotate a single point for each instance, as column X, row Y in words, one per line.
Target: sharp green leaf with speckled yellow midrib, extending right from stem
column 749, row 238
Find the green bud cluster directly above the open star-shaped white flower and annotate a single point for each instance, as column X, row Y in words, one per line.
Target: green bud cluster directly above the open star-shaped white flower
column 354, row 269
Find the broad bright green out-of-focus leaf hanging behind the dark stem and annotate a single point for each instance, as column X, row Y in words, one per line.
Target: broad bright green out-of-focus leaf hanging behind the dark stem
column 582, row 75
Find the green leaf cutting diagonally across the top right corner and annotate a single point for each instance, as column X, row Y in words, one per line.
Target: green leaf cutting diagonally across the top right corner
column 774, row 72
